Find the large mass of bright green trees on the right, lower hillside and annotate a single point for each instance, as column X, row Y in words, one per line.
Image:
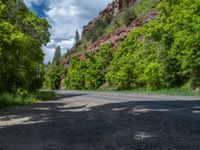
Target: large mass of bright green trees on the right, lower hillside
column 162, row 53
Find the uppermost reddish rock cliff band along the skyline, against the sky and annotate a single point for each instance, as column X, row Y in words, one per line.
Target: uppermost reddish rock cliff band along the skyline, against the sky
column 112, row 9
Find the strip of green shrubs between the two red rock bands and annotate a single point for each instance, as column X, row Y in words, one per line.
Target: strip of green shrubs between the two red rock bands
column 109, row 23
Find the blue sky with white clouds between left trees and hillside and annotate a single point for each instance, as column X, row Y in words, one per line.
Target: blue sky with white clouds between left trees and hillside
column 65, row 17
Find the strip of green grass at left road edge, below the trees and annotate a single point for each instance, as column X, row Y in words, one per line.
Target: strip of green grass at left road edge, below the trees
column 7, row 100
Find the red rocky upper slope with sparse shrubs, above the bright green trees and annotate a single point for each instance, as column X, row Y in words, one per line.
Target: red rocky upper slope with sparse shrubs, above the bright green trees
column 115, row 11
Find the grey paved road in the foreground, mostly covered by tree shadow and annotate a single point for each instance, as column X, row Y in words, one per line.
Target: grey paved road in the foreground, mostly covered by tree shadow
column 103, row 121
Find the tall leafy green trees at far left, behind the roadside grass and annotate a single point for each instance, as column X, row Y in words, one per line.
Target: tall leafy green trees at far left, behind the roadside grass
column 22, row 35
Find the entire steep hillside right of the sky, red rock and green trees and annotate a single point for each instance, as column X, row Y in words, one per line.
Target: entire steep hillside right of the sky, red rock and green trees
column 151, row 44
